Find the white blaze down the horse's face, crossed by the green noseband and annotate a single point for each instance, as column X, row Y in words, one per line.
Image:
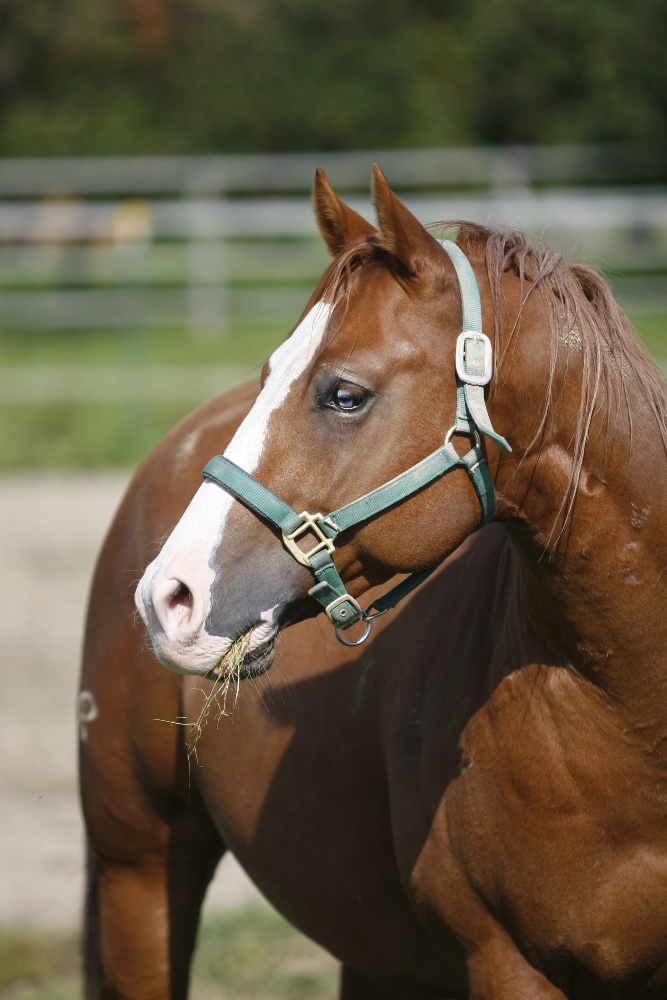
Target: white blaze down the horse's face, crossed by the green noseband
column 187, row 552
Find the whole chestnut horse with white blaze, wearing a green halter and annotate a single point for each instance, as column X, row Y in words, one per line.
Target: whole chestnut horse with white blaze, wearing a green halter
column 472, row 802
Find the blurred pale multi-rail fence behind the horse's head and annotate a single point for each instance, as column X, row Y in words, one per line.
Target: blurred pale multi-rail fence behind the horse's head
column 213, row 242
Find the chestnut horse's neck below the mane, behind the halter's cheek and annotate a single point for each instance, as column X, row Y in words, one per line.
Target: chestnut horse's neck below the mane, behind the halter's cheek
column 595, row 584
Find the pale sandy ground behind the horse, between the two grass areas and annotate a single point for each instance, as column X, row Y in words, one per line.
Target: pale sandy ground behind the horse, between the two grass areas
column 50, row 530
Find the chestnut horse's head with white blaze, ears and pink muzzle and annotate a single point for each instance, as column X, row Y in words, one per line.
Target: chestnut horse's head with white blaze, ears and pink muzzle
column 363, row 388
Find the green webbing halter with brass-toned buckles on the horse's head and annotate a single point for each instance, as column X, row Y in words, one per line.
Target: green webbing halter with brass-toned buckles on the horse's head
column 474, row 367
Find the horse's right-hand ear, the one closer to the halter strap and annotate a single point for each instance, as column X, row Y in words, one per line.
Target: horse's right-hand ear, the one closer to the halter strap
column 404, row 236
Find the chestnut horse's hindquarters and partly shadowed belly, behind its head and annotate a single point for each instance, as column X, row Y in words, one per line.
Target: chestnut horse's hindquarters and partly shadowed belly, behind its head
column 158, row 827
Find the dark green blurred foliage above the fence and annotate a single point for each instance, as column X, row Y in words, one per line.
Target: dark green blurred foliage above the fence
column 168, row 76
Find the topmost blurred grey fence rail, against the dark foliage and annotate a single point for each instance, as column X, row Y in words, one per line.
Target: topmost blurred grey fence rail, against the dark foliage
column 406, row 168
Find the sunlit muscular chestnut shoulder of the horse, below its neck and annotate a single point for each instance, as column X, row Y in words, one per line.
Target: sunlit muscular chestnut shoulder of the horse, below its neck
column 553, row 820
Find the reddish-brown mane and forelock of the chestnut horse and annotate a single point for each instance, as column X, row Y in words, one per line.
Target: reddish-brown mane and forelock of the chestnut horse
column 583, row 317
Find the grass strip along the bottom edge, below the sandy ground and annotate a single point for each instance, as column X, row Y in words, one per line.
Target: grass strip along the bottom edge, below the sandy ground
column 247, row 954
